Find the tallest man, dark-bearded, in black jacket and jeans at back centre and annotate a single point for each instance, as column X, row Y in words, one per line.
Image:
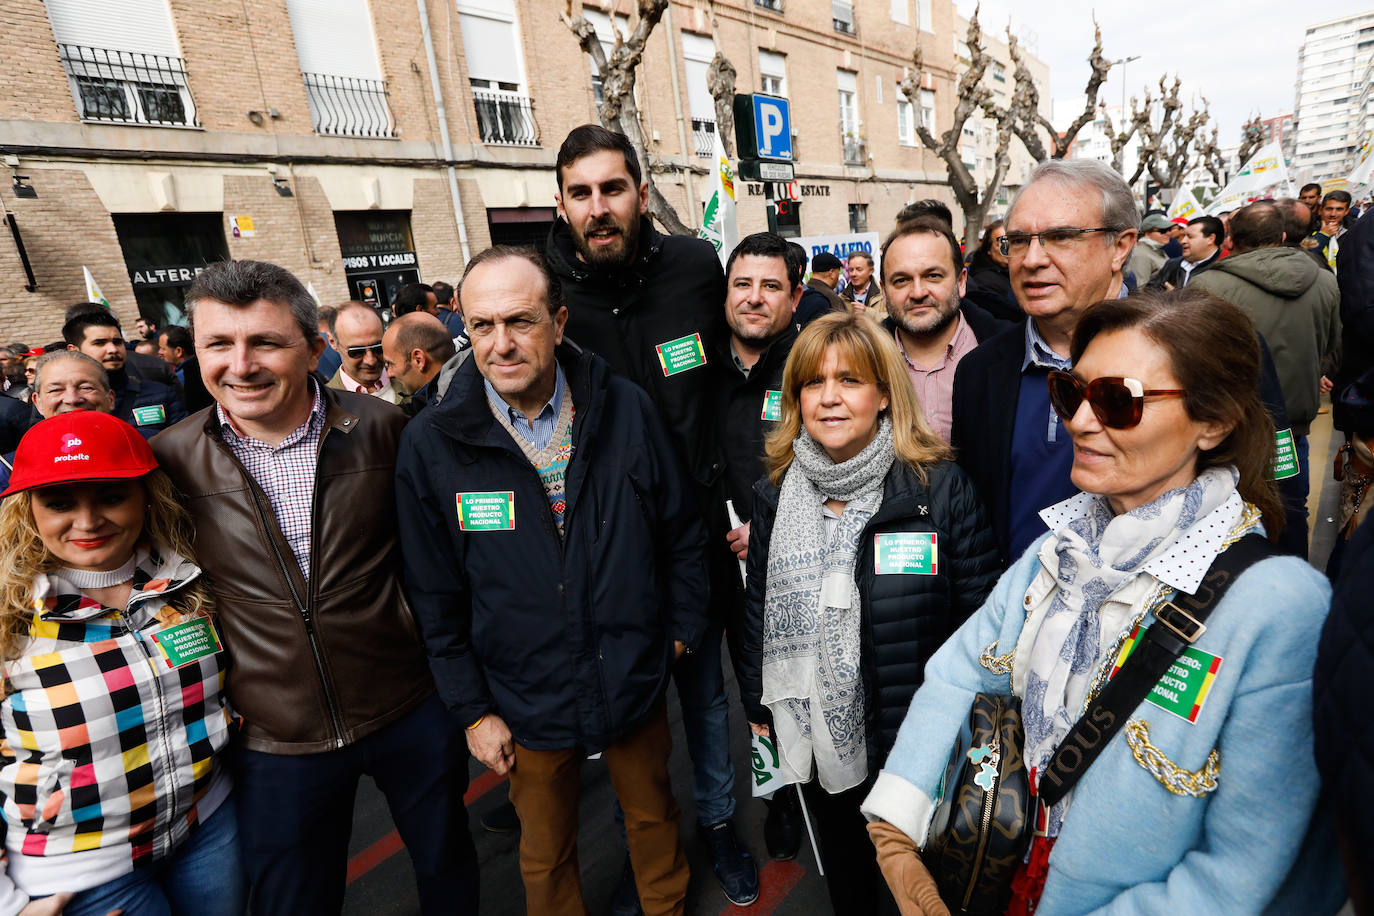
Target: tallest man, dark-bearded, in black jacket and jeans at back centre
column 651, row 307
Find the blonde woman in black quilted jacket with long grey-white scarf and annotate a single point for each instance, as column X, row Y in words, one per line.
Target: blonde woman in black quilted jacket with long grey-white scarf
column 868, row 549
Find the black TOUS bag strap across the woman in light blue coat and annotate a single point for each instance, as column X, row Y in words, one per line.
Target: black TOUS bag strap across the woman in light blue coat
column 1178, row 624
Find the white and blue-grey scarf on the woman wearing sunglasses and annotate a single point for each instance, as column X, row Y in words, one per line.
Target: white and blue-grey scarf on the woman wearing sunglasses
column 1100, row 554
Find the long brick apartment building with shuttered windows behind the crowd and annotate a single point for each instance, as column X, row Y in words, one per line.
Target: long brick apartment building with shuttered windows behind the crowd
column 370, row 144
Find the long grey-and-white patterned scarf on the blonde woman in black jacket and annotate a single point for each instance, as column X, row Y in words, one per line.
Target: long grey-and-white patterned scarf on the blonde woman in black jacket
column 811, row 671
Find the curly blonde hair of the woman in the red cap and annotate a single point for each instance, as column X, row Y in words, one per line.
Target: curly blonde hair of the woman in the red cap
column 167, row 527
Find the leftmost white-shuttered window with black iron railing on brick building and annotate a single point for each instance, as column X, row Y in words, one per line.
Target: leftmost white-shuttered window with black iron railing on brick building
column 123, row 61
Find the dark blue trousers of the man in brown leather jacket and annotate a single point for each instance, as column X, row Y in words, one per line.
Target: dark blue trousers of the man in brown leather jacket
column 297, row 814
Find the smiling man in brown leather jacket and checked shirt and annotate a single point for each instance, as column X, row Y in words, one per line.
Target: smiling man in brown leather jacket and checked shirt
column 291, row 485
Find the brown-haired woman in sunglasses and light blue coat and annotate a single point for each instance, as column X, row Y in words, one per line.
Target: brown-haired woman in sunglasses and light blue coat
column 1204, row 796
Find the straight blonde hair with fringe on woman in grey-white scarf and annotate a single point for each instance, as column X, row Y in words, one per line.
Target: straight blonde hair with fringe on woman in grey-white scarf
column 870, row 352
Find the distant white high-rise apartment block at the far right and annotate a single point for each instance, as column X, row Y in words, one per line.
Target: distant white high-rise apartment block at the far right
column 1332, row 75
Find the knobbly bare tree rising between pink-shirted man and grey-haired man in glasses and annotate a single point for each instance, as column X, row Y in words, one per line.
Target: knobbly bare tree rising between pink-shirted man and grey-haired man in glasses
column 972, row 97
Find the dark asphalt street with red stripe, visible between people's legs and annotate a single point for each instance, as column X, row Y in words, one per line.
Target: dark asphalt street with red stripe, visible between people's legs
column 383, row 882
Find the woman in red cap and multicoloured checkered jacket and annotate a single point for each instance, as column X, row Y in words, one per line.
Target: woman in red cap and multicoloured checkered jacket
column 113, row 789
